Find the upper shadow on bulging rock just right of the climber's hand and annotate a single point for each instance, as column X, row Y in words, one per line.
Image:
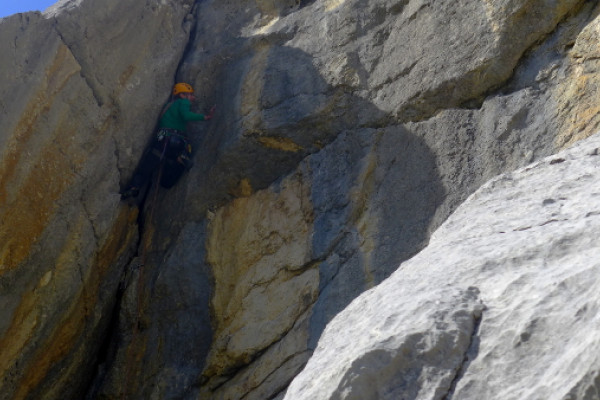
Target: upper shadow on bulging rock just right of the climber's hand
column 275, row 109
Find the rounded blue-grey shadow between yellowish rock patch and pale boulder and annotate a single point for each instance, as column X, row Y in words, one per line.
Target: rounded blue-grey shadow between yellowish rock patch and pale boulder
column 381, row 217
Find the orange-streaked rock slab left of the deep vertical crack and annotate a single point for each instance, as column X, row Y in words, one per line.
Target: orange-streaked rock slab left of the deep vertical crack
column 69, row 104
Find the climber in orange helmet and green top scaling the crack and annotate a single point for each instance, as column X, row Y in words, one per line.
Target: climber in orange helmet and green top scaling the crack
column 171, row 142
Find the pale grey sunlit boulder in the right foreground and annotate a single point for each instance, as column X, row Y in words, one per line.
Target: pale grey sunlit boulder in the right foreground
column 500, row 305
